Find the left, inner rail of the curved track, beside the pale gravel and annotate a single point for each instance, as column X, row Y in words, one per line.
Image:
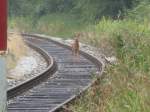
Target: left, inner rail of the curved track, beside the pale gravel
column 26, row 85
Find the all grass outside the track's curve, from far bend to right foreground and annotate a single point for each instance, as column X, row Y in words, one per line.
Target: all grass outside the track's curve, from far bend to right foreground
column 124, row 87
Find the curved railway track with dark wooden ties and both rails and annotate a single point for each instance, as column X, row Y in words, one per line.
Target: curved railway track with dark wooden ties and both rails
column 48, row 93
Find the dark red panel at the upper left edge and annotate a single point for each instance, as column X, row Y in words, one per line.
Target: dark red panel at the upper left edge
column 3, row 25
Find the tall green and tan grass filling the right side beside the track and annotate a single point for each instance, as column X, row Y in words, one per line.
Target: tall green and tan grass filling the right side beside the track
column 125, row 86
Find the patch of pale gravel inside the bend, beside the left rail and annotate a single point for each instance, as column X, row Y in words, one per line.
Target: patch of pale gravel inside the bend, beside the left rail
column 27, row 67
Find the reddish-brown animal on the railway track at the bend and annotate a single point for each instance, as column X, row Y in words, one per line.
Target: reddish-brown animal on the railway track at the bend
column 75, row 45
